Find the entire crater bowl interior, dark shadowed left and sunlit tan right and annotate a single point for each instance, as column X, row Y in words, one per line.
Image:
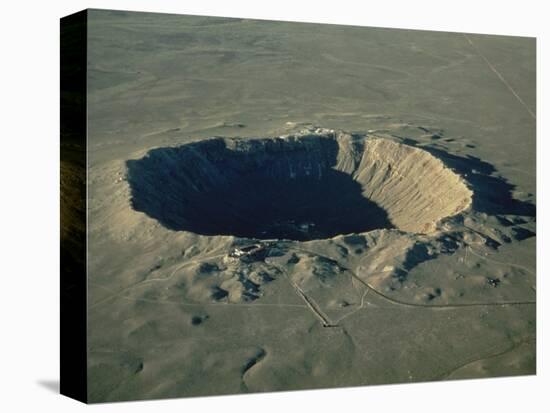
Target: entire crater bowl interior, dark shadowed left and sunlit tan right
column 309, row 186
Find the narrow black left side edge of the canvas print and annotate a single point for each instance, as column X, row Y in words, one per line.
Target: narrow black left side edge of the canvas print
column 73, row 153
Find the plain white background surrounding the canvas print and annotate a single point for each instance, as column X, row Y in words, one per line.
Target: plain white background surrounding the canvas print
column 29, row 205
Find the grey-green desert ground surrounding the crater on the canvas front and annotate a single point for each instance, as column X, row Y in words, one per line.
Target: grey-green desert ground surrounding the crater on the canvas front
column 172, row 314
